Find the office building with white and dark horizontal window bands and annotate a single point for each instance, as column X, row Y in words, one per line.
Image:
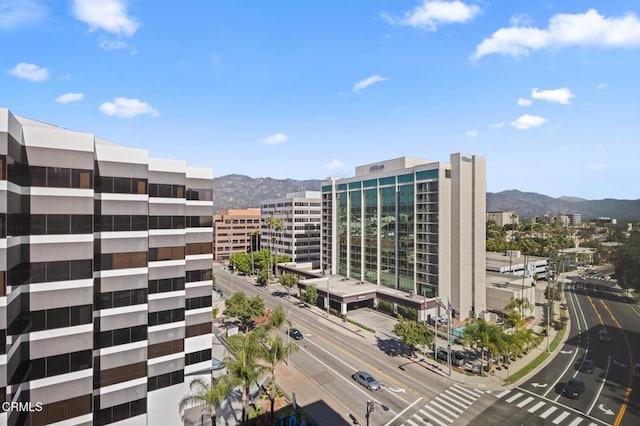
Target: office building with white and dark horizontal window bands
column 105, row 278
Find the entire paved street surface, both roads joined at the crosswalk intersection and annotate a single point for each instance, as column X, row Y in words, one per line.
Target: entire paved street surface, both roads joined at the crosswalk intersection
column 419, row 391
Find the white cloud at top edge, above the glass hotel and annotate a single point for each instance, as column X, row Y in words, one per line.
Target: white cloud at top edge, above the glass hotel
column 430, row 14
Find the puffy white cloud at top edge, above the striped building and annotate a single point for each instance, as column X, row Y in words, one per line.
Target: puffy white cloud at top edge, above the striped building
column 107, row 15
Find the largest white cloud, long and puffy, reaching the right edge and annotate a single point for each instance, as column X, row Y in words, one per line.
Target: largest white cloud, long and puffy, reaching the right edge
column 564, row 30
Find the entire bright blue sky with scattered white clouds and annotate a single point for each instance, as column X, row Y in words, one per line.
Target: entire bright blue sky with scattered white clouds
column 546, row 90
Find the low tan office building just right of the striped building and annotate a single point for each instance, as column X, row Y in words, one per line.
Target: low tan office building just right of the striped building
column 233, row 231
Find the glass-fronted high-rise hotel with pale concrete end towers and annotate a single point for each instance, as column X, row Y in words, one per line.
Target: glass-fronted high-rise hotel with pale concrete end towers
column 411, row 225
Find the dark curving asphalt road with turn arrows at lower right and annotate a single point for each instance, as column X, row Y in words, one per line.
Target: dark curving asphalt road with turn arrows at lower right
column 609, row 397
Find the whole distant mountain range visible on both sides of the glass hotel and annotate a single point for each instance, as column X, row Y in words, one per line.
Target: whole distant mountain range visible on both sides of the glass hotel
column 239, row 191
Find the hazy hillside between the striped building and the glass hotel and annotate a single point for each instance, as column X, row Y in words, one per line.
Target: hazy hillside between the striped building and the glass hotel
column 241, row 192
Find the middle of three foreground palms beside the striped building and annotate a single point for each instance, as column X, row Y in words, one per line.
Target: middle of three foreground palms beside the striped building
column 243, row 366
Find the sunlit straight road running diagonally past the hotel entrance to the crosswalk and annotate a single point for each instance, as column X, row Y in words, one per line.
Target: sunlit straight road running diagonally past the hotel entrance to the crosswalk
column 330, row 355
